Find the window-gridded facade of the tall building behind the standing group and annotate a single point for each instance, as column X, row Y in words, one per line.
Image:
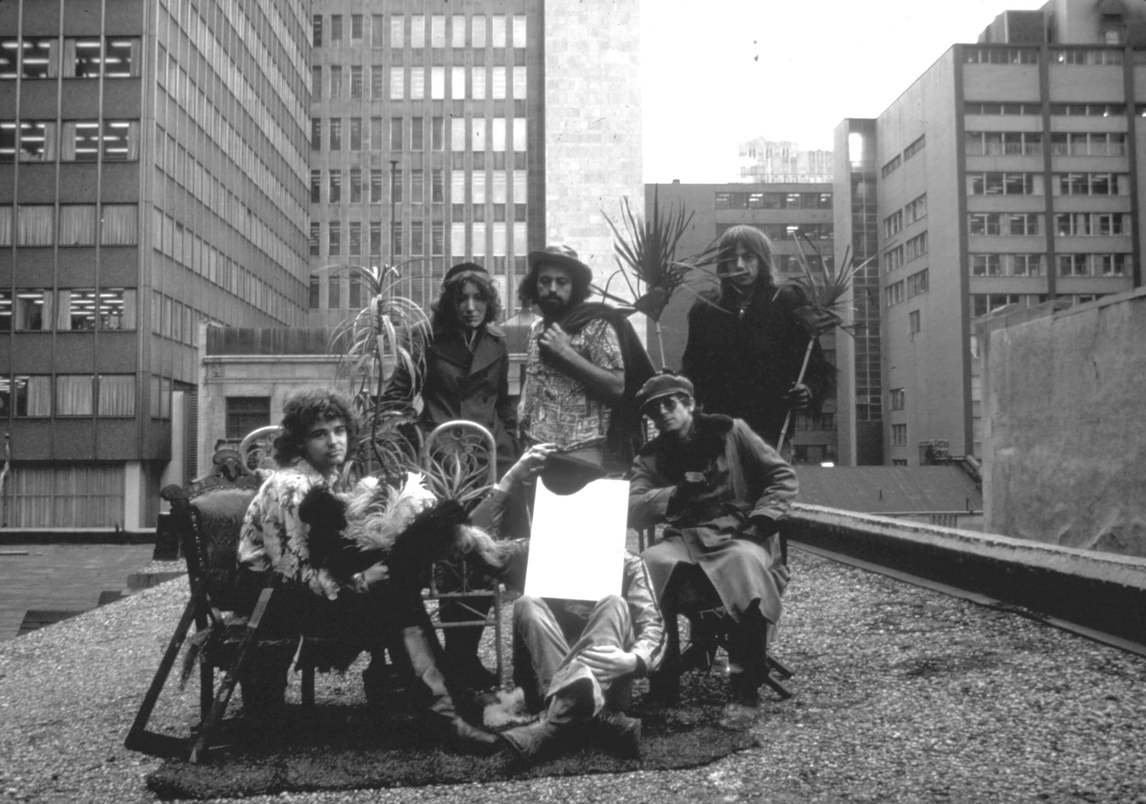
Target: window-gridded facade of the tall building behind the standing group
column 427, row 141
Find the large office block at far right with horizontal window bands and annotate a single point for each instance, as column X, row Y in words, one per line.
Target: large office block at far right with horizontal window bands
column 1009, row 175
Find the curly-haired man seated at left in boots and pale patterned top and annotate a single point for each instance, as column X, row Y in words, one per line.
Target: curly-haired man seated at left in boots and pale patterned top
column 372, row 609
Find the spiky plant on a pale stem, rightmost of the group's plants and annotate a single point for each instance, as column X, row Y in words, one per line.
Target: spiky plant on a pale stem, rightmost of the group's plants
column 826, row 287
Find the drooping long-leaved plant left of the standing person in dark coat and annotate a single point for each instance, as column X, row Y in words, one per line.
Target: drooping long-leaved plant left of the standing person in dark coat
column 391, row 332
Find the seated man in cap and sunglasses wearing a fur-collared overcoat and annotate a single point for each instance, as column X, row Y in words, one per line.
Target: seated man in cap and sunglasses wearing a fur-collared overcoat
column 721, row 492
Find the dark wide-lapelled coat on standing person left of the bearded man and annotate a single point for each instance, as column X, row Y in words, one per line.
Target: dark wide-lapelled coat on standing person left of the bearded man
column 460, row 385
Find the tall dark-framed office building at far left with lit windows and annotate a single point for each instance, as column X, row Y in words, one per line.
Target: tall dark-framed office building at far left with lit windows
column 153, row 175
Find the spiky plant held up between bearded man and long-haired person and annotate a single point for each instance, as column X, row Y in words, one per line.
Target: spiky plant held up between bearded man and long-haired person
column 647, row 249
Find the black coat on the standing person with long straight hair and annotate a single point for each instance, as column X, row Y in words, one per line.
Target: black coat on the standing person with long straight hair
column 742, row 362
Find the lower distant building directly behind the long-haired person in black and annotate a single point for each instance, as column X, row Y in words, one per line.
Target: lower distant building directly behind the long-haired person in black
column 781, row 211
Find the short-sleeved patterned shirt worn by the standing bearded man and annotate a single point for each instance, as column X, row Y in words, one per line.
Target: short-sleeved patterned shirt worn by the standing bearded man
column 559, row 409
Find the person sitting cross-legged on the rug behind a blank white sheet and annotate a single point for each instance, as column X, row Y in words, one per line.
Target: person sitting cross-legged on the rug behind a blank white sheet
column 576, row 660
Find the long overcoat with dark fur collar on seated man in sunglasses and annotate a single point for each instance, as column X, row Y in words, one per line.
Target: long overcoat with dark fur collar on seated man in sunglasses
column 745, row 479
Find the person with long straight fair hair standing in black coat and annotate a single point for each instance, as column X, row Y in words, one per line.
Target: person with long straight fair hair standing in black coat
column 745, row 351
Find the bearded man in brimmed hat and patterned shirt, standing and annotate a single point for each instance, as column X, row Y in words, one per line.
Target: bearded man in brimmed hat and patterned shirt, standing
column 583, row 369
